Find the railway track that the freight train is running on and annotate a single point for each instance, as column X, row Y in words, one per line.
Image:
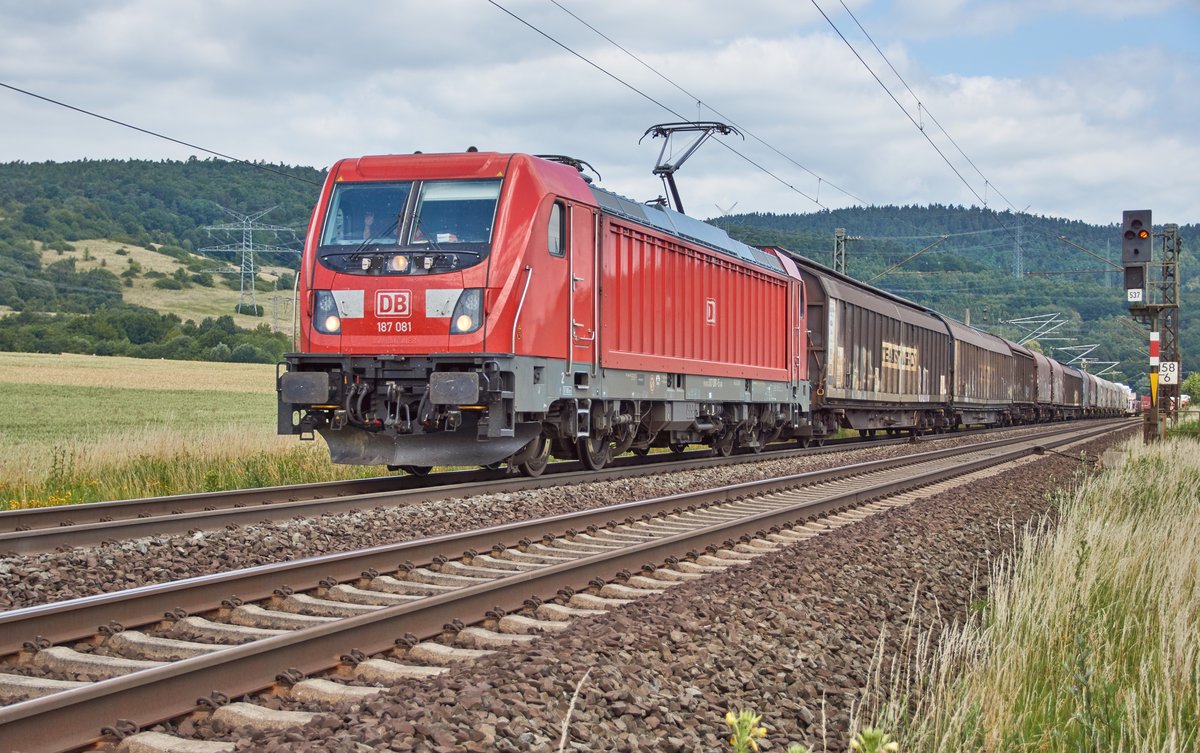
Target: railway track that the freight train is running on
column 29, row 532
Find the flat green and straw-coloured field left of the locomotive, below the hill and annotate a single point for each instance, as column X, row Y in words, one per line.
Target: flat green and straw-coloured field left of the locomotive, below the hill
column 88, row 429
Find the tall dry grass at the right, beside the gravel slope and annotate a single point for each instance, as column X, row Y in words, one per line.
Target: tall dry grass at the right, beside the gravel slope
column 1090, row 640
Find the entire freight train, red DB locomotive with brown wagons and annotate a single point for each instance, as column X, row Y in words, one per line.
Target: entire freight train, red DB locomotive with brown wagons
column 482, row 309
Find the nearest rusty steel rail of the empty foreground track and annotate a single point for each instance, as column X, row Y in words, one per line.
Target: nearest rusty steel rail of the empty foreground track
column 71, row 719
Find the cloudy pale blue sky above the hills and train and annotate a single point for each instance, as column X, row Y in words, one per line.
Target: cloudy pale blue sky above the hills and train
column 1064, row 109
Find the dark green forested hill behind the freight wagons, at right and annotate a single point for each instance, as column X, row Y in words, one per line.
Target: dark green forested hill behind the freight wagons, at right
column 957, row 260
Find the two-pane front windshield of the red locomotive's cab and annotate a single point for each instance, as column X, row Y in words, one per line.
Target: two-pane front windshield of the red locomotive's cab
column 409, row 228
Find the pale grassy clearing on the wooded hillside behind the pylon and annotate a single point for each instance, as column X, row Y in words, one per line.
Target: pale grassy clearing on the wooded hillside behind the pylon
column 195, row 304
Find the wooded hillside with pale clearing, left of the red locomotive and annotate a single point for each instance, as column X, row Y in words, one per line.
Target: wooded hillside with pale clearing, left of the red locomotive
column 142, row 291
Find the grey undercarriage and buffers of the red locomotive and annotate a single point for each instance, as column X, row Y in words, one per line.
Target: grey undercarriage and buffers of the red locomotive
column 455, row 412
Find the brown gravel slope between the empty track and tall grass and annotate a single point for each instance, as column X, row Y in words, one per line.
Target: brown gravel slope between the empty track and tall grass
column 790, row 636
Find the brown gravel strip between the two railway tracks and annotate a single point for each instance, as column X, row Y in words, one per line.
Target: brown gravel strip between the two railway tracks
column 41, row 579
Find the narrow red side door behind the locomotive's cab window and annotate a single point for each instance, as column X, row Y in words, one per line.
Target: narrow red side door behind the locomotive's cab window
column 585, row 292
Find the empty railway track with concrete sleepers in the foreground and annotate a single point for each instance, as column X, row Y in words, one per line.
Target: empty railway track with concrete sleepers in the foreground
column 358, row 605
